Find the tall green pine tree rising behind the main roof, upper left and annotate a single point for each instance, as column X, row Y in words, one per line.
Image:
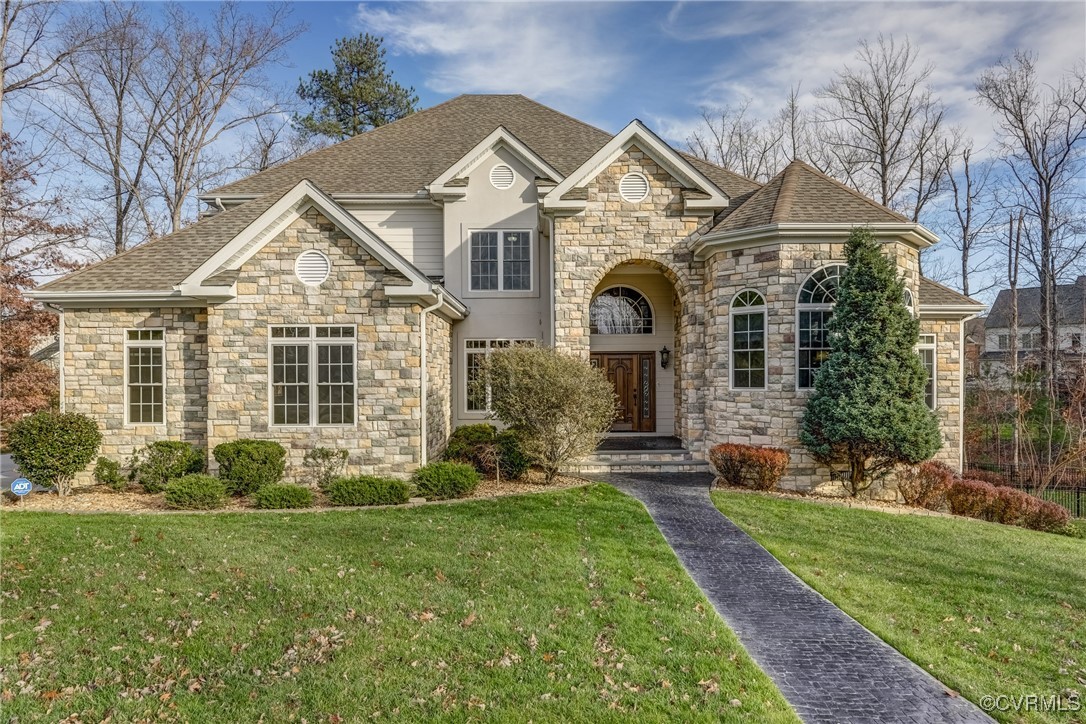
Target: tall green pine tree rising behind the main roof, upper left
column 357, row 96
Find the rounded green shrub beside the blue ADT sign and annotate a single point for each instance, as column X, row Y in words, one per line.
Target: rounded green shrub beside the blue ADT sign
column 52, row 448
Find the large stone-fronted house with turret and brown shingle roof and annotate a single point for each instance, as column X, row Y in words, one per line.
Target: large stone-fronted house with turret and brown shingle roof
column 347, row 298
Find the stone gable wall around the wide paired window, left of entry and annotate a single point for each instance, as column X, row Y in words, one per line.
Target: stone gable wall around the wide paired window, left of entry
column 387, row 437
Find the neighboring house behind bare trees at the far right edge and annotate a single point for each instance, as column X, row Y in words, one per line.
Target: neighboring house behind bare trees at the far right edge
column 1070, row 334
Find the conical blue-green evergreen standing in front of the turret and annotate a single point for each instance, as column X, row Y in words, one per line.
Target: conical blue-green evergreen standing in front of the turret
column 868, row 409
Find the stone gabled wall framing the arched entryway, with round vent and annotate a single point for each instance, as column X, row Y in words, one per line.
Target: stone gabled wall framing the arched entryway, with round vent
column 656, row 233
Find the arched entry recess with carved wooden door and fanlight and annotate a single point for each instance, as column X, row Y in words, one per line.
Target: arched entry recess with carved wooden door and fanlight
column 634, row 338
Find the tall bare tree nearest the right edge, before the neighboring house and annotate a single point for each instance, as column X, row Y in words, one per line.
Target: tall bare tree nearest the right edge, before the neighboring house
column 1043, row 134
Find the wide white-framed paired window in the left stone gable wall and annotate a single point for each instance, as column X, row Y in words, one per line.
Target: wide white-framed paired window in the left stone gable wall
column 313, row 375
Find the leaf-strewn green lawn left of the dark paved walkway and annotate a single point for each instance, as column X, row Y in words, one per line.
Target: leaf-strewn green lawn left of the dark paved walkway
column 552, row 607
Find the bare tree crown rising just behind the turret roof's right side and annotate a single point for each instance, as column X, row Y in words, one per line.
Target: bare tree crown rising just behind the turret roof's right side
column 885, row 128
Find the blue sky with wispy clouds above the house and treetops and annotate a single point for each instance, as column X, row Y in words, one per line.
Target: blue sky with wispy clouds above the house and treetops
column 609, row 63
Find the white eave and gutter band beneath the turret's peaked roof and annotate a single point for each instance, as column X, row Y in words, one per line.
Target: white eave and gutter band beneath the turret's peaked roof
column 913, row 234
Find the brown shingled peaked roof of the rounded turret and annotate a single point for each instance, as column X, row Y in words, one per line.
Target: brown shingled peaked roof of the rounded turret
column 802, row 195
